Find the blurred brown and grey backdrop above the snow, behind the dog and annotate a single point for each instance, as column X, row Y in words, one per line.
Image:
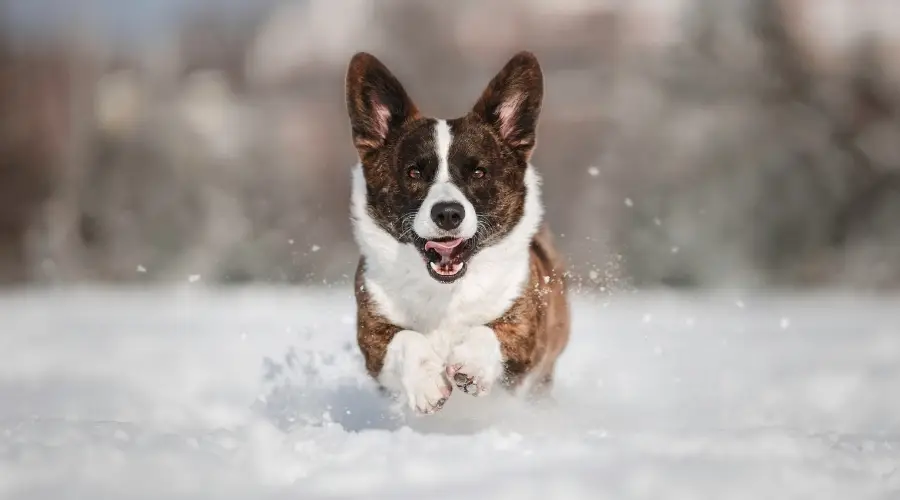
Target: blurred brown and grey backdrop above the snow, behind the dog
column 684, row 143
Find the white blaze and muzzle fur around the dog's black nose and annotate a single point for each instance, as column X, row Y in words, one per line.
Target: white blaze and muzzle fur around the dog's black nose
column 443, row 190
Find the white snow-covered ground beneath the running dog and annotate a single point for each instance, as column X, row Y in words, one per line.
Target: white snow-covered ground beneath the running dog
column 259, row 393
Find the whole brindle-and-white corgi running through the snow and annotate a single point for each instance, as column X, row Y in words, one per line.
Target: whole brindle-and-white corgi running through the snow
column 459, row 282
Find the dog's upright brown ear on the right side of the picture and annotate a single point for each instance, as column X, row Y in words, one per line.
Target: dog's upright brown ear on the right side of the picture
column 511, row 103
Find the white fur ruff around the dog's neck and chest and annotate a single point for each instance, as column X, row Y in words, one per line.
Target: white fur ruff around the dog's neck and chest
column 397, row 281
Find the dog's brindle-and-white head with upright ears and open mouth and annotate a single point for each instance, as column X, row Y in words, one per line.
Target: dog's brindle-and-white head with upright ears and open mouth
column 449, row 187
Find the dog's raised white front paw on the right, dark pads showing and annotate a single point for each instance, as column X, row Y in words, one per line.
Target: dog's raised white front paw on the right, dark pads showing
column 476, row 362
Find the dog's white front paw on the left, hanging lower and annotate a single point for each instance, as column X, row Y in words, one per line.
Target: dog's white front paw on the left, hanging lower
column 417, row 372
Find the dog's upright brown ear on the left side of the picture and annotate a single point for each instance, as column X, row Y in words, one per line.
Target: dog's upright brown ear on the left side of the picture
column 376, row 102
